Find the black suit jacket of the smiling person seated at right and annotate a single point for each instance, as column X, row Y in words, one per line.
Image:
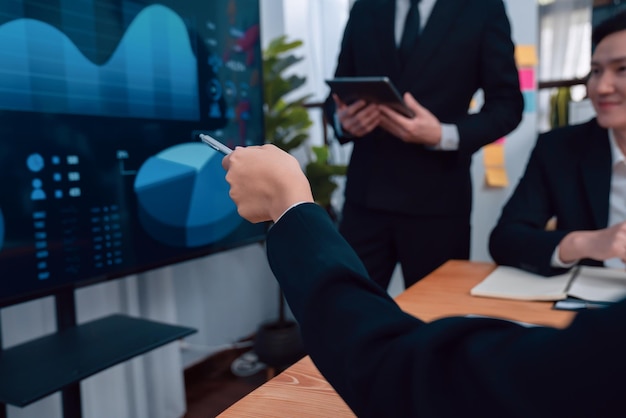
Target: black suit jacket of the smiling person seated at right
column 568, row 176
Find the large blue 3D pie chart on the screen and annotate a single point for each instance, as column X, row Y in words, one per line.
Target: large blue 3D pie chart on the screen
column 183, row 197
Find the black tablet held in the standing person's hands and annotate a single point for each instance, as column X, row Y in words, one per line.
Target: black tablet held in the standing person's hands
column 371, row 89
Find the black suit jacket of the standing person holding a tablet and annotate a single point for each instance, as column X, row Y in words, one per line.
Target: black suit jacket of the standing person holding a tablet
column 465, row 46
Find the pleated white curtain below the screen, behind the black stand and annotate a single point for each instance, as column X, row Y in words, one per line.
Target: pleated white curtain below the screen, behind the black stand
column 124, row 390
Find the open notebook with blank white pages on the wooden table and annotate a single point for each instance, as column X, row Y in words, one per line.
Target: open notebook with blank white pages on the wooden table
column 598, row 284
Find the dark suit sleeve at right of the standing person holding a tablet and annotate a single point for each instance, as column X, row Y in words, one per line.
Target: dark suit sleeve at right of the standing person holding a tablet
column 499, row 79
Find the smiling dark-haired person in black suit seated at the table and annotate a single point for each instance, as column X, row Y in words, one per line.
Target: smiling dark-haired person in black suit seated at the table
column 583, row 187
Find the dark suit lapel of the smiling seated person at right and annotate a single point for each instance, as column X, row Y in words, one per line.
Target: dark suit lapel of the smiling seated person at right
column 597, row 159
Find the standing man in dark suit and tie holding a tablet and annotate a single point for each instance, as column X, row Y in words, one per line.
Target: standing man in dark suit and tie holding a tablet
column 408, row 193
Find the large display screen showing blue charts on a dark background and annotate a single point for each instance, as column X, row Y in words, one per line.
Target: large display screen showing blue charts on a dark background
column 101, row 104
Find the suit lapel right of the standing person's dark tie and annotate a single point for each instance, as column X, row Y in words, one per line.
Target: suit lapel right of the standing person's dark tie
column 439, row 23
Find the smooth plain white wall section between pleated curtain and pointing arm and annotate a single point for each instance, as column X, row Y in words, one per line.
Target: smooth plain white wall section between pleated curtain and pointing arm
column 225, row 296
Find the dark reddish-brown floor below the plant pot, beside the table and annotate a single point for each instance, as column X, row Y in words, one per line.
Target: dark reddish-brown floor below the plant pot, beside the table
column 211, row 387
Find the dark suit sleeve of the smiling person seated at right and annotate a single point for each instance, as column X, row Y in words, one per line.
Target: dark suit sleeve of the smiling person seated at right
column 520, row 239
